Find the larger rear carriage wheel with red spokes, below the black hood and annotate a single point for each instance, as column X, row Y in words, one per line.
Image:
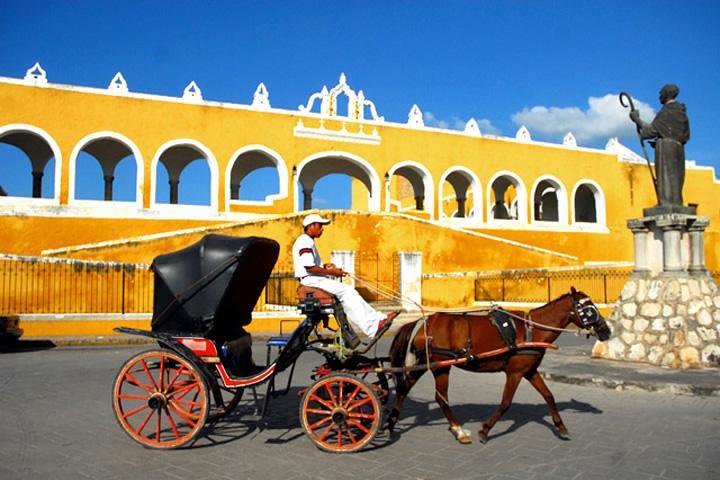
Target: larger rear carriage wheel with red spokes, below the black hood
column 160, row 399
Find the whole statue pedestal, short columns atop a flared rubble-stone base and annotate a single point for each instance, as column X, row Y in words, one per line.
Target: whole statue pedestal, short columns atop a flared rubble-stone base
column 668, row 313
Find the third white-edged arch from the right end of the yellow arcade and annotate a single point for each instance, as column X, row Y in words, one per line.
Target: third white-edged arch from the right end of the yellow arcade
column 506, row 198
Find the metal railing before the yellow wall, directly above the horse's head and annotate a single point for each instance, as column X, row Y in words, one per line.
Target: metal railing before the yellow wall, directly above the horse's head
column 533, row 286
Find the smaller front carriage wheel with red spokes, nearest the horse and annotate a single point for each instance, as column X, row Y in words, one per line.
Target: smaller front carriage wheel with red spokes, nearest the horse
column 340, row 413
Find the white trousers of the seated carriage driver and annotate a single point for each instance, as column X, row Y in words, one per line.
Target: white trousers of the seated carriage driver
column 362, row 315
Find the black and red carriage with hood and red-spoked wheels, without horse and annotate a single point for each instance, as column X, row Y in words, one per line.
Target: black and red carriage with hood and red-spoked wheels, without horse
column 204, row 296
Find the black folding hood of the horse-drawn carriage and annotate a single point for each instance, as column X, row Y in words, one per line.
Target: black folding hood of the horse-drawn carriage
column 211, row 287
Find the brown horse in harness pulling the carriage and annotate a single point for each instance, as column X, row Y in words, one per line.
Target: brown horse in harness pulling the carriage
column 486, row 342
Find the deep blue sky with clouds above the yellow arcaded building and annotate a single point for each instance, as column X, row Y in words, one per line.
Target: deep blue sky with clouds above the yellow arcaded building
column 551, row 65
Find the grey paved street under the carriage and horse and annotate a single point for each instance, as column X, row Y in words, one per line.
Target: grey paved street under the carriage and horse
column 56, row 421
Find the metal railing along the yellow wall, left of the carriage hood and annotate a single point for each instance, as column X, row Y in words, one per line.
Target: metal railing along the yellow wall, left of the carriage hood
column 47, row 285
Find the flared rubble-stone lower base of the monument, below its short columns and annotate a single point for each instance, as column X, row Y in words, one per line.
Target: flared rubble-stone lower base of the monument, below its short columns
column 667, row 321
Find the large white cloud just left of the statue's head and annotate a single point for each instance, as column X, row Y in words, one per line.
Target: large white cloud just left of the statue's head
column 604, row 118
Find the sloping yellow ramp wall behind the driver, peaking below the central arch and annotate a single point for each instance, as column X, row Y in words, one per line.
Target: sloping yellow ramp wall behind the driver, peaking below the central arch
column 444, row 250
